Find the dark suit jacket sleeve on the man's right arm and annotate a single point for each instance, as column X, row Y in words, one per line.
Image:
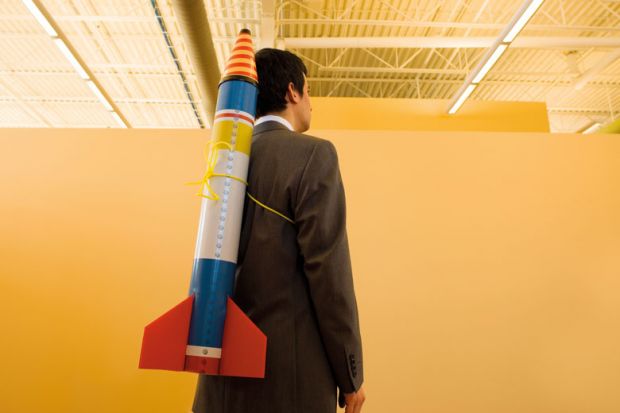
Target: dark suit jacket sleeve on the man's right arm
column 320, row 218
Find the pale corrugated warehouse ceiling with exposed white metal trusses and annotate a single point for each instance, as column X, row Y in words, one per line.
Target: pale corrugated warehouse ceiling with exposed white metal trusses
column 567, row 56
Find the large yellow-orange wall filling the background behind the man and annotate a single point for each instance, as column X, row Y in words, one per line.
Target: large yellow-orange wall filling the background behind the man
column 486, row 266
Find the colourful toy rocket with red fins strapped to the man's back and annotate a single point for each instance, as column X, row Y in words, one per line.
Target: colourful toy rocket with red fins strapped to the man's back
column 207, row 333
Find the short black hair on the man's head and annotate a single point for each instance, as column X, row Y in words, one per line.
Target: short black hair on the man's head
column 276, row 69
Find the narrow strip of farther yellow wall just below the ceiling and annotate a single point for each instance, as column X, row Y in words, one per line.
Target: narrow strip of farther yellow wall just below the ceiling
column 428, row 115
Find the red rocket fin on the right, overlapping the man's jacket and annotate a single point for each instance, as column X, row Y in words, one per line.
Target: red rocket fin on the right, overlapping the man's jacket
column 244, row 346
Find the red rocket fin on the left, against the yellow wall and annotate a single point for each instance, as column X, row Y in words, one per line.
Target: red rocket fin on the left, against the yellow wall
column 165, row 339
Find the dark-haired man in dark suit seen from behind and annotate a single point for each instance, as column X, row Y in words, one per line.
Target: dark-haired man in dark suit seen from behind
column 294, row 275
